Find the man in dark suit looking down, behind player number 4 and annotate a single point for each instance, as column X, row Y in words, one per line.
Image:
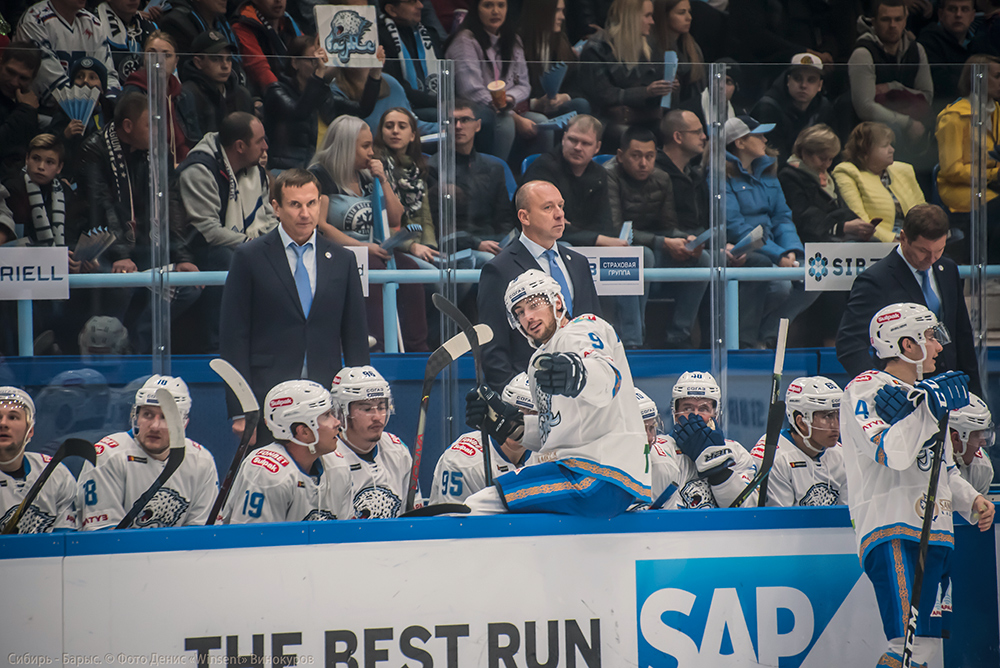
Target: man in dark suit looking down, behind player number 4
column 915, row 272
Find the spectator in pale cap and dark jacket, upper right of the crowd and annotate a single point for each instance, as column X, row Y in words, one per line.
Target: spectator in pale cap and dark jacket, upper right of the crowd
column 793, row 103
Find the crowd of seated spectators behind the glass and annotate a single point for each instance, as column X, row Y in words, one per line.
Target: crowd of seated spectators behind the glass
column 839, row 120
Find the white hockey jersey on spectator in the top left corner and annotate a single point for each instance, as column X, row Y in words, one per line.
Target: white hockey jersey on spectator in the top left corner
column 63, row 42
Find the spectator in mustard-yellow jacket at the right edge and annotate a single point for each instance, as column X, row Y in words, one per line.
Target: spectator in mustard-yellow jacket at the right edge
column 953, row 127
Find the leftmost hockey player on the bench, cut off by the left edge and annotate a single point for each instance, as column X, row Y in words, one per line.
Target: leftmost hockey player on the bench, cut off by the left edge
column 53, row 509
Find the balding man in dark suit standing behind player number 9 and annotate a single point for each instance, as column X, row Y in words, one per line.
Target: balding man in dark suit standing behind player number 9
column 540, row 211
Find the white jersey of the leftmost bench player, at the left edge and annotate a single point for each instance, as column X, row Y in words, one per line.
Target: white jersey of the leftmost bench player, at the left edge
column 53, row 509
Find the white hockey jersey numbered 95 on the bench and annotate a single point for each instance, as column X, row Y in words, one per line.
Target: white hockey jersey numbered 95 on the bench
column 459, row 472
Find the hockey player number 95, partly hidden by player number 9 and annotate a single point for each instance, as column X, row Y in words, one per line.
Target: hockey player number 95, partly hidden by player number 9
column 459, row 471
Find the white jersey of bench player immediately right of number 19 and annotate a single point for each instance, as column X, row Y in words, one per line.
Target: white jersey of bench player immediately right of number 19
column 379, row 486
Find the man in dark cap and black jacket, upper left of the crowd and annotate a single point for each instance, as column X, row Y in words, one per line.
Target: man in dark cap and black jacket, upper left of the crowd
column 210, row 81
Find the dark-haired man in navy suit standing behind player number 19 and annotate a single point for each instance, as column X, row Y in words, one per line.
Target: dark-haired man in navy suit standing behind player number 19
column 292, row 306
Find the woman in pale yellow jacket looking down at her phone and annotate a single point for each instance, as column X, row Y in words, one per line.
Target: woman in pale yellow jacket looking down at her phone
column 874, row 186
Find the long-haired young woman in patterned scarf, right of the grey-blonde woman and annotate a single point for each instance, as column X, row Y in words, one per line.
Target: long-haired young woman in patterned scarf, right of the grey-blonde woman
column 397, row 143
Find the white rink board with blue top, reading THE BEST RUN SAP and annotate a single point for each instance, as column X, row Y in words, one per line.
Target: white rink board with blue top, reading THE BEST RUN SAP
column 778, row 587
